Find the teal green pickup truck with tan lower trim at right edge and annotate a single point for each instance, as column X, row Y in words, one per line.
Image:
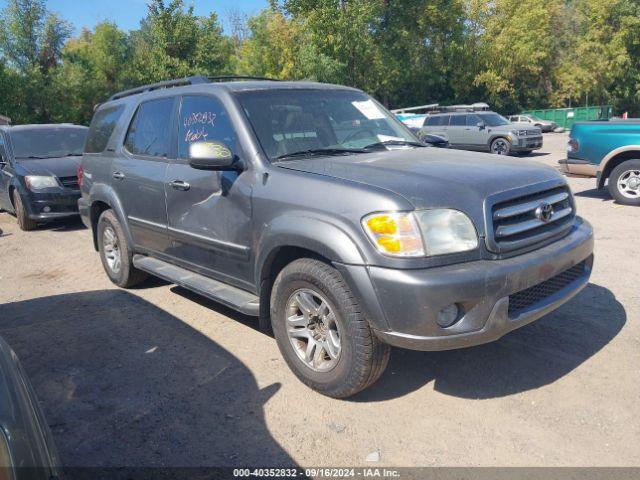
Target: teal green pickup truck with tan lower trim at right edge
column 609, row 151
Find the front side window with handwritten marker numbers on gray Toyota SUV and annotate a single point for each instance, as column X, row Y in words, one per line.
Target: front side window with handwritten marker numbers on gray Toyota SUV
column 203, row 118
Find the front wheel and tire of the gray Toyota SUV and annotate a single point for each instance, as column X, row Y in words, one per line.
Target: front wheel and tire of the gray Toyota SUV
column 361, row 358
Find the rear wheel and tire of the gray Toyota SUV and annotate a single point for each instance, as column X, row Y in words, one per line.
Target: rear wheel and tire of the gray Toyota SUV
column 116, row 256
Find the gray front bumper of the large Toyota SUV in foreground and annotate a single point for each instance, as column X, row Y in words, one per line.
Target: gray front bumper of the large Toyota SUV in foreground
column 410, row 300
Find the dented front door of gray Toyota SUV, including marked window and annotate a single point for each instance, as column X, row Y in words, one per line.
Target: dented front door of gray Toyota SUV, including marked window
column 209, row 211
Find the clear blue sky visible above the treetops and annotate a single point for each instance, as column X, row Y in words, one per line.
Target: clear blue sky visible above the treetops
column 128, row 13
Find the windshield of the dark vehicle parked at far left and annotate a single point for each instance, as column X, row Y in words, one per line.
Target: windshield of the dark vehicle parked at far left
column 48, row 142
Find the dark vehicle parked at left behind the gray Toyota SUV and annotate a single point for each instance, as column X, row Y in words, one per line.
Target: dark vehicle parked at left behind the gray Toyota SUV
column 38, row 171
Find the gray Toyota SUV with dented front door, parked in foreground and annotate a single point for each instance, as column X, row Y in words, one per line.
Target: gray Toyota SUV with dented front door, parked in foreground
column 311, row 207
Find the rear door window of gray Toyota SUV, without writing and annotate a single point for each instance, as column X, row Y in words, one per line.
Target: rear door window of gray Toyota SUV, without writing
column 150, row 129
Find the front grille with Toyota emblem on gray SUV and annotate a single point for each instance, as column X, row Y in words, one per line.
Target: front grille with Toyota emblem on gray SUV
column 521, row 221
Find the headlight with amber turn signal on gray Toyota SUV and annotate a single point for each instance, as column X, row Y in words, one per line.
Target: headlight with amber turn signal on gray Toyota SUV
column 421, row 233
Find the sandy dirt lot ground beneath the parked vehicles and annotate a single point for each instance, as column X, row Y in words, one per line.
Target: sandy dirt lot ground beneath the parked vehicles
column 158, row 376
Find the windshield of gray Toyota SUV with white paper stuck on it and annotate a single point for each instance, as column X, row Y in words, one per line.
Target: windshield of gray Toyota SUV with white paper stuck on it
column 295, row 121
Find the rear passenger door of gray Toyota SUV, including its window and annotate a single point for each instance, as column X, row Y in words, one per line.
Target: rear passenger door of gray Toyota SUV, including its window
column 139, row 172
